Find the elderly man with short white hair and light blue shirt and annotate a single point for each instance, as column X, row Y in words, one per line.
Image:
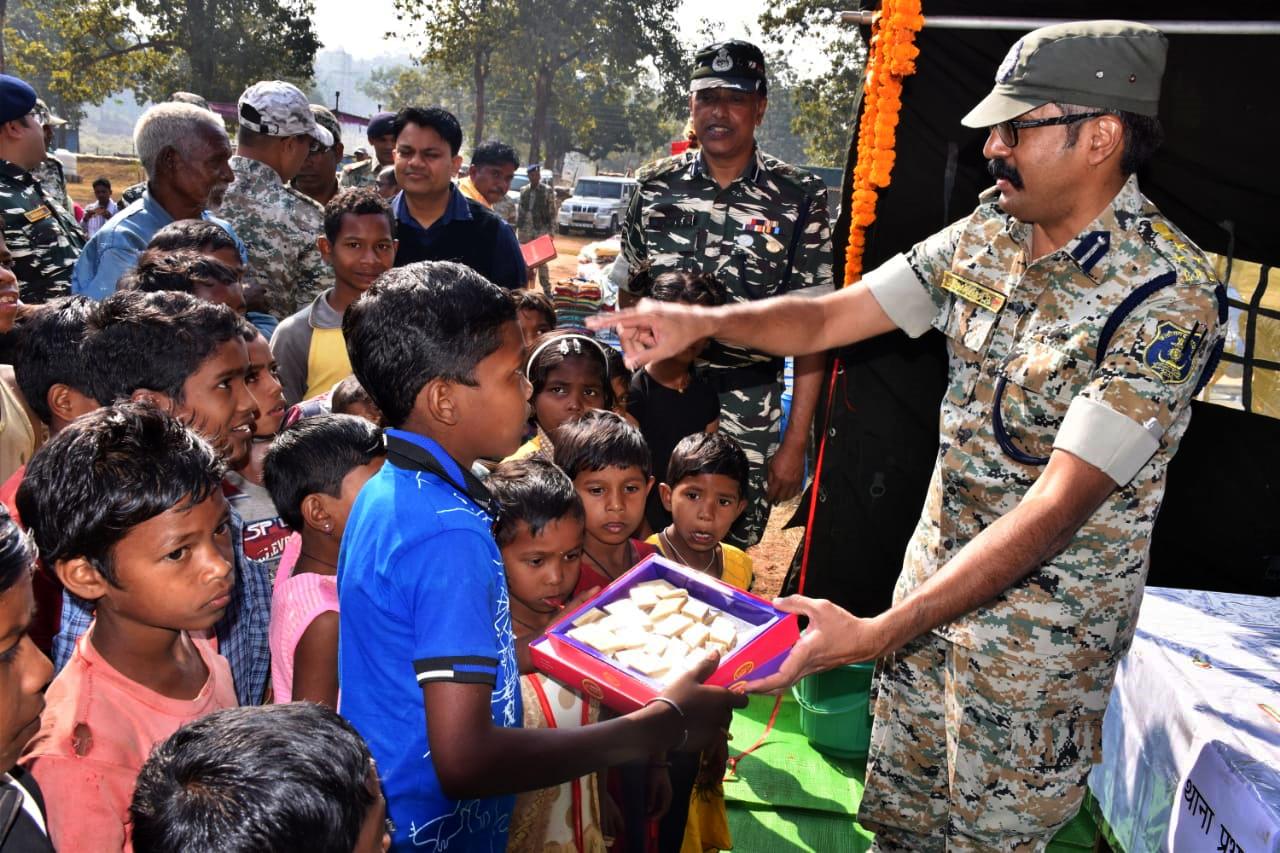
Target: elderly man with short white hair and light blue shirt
column 185, row 152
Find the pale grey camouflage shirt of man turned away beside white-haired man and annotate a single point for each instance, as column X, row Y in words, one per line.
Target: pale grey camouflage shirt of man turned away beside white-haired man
column 280, row 227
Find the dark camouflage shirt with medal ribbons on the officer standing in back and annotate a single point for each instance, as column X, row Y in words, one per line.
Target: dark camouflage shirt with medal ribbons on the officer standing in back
column 765, row 235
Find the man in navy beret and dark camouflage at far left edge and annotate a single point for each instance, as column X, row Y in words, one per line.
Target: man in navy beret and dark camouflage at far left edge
column 43, row 238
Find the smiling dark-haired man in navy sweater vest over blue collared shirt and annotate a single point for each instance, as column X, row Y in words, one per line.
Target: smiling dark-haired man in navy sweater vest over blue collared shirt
column 437, row 222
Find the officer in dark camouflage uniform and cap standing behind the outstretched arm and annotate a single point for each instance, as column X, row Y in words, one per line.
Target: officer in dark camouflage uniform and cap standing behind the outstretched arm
column 765, row 232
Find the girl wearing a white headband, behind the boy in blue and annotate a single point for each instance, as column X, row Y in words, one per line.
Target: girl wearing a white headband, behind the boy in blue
column 570, row 373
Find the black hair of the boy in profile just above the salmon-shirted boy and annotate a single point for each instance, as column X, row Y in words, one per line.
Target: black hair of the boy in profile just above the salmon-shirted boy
column 153, row 341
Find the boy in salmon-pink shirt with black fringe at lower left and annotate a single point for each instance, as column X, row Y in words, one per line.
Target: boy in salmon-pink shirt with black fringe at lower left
column 127, row 510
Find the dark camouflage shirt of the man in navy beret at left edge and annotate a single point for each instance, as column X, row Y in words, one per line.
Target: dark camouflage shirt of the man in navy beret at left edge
column 43, row 238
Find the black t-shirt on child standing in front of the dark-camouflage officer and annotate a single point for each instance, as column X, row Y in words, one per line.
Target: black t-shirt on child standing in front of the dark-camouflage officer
column 666, row 417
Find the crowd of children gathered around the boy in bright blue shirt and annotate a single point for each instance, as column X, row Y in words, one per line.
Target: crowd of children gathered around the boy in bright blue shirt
column 373, row 510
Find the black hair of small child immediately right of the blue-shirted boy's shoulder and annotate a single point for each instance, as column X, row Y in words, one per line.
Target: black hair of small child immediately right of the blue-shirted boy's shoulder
column 532, row 491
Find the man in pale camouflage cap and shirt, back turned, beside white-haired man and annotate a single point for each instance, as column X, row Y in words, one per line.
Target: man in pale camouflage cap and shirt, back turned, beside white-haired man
column 278, row 225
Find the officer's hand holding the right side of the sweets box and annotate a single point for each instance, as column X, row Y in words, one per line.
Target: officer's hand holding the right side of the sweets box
column 835, row 637
